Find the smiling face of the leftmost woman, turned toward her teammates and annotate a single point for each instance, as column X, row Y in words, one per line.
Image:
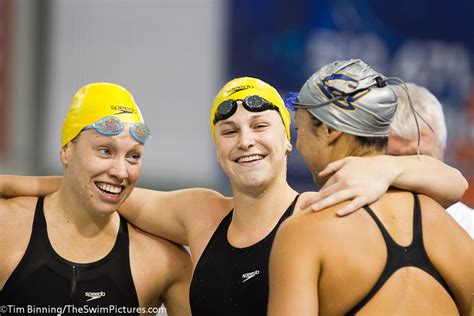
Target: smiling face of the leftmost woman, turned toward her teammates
column 101, row 171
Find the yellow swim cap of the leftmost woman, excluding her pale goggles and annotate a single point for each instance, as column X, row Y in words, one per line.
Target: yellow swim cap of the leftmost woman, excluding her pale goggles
column 94, row 101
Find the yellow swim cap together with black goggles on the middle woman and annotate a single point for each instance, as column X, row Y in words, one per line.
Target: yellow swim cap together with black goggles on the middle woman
column 255, row 95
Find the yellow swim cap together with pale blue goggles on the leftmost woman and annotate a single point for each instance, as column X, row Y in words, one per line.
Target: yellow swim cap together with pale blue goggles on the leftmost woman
column 96, row 105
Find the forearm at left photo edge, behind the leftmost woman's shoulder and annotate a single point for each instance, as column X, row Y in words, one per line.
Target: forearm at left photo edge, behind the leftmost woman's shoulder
column 13, row 186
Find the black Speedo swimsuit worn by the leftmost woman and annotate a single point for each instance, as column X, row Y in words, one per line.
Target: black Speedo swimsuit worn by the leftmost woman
column 43, row 278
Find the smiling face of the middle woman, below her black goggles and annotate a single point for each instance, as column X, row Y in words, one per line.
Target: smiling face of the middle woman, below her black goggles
column 252, row 149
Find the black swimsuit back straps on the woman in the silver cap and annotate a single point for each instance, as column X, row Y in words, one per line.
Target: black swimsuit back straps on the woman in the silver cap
column 413, row 255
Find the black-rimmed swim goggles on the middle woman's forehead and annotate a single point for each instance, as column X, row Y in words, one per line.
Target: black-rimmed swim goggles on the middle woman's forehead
column 252, row 103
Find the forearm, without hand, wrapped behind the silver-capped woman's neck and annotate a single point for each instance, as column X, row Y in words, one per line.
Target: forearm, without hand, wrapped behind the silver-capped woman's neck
column 428, row 176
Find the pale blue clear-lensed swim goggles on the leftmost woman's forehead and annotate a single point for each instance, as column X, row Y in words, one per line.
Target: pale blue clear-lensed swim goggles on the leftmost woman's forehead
column 112, row 126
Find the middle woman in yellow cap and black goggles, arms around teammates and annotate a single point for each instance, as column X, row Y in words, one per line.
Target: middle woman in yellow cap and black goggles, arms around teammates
column 230, row 238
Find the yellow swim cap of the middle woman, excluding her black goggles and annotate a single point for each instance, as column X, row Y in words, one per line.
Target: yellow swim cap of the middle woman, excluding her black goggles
column 239, row 88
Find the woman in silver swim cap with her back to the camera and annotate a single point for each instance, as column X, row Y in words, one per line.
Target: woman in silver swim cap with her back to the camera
column 393, row 257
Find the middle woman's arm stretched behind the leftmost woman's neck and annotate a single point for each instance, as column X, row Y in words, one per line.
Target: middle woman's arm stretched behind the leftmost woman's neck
column 170, row 215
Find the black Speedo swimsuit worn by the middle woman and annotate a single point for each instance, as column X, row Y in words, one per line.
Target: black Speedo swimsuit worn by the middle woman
column 233, row 281
